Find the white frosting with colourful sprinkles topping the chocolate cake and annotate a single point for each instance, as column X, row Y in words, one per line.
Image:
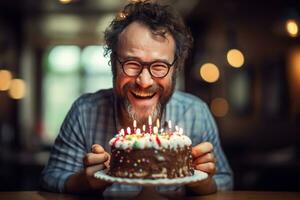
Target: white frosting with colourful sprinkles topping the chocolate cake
column 157, row 141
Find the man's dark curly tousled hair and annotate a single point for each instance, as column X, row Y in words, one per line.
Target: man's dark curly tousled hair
column 161, row 19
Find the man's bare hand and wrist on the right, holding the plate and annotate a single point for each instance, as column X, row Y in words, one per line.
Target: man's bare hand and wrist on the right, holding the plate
column 204, row 160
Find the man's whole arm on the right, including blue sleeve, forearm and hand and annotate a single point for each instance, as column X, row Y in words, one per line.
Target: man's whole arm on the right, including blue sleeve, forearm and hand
column 205, row 134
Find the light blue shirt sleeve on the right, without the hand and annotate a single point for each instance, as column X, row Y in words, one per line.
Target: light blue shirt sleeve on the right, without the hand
column 206, row 130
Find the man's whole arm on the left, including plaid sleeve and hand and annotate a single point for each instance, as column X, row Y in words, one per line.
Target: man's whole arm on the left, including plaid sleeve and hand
column 66, row 170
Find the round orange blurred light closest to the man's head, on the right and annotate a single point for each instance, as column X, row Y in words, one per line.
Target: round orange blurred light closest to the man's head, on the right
column 209, row 72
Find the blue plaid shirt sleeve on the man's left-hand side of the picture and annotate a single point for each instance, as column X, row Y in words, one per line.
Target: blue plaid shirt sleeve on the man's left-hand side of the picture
column 67, row 152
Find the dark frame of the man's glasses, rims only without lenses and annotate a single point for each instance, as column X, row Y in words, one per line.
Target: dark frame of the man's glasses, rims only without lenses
column 146, row 64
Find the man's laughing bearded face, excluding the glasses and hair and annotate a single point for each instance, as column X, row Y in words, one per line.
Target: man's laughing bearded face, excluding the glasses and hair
column 143, row 95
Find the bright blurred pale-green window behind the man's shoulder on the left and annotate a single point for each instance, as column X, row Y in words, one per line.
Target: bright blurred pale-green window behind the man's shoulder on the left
column 69, row 72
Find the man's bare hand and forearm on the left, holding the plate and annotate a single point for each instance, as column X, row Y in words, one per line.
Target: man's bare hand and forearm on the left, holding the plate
column 84, row 181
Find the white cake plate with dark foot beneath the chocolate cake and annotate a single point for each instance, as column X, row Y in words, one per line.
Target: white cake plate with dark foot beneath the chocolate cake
column 148, row 191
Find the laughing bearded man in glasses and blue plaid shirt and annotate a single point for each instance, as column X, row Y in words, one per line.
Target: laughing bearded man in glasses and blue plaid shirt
column 148, row 44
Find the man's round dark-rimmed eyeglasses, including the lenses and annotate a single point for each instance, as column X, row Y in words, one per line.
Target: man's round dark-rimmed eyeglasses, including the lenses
column 157, row 69
